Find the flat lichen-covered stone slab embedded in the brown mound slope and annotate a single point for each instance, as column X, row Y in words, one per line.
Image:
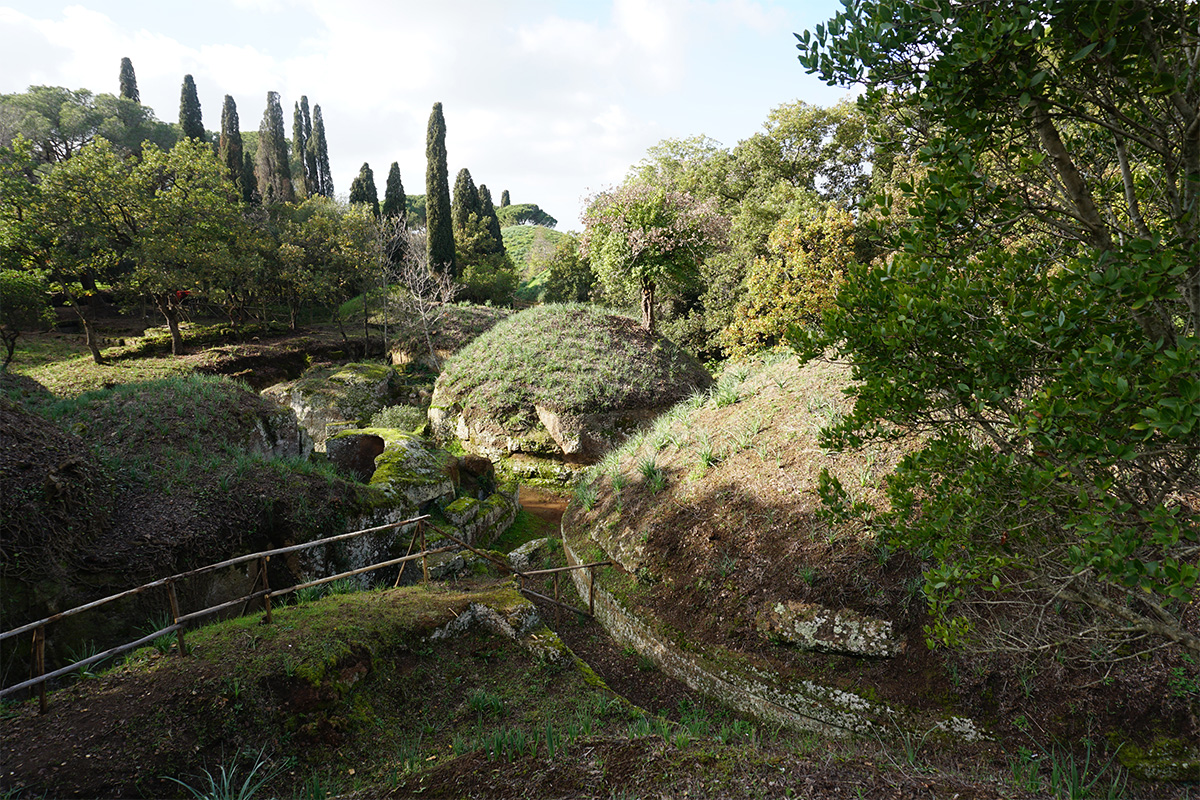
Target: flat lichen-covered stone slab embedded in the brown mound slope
column 827, row 630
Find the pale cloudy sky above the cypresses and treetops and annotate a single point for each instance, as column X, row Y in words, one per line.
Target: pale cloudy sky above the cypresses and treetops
column 551, row 100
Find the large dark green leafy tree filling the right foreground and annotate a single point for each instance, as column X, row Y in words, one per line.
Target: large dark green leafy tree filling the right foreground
column 1040, row 318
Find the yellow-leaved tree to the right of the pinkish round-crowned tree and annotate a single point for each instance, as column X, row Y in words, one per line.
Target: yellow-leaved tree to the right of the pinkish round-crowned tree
column 811, row 255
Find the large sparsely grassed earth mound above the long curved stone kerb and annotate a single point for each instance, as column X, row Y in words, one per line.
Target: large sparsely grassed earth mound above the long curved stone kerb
column 717, row 521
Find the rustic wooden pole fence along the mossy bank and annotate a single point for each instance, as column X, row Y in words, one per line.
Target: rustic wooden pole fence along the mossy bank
column 39, row 677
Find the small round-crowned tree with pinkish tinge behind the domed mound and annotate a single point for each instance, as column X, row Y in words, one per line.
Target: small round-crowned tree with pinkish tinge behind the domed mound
column 641, row 237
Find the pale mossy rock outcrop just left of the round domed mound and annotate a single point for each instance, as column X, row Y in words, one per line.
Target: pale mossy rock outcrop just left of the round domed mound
column 326, row 398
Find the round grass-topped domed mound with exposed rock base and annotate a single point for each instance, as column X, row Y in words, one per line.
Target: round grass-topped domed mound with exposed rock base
column 572, row 362
